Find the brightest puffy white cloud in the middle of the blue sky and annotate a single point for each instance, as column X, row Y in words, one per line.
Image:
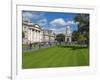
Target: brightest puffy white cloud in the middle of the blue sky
column 58, row 22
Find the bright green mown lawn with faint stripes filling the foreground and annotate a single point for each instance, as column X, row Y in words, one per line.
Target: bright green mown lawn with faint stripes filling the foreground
column 58, row 56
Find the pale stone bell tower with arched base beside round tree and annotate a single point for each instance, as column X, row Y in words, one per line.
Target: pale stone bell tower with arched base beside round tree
column 68, row 35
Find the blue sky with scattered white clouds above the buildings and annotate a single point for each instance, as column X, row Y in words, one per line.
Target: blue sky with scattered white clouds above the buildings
column 55, row 21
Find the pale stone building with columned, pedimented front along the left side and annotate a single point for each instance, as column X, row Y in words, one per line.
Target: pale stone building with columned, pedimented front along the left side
column 35, row 34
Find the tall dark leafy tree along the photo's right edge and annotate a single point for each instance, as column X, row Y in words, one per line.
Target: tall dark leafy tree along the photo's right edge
column 83, row 26
